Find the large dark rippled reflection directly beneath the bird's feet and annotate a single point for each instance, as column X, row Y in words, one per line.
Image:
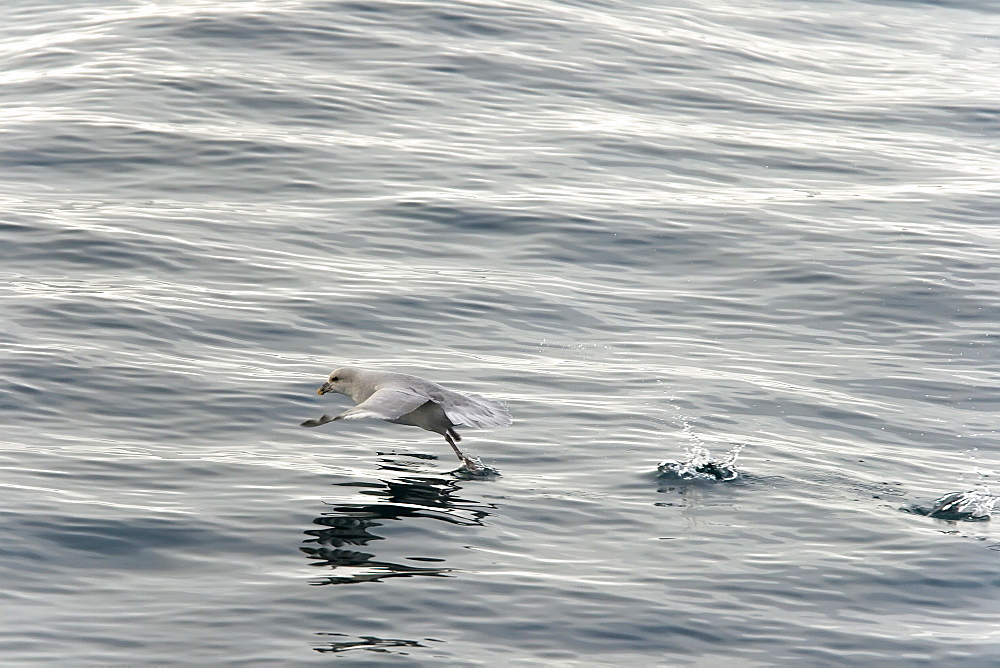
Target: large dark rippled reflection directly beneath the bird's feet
column 349, row 527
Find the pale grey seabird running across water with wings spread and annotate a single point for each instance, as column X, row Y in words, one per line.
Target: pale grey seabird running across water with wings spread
column 405, row 399
